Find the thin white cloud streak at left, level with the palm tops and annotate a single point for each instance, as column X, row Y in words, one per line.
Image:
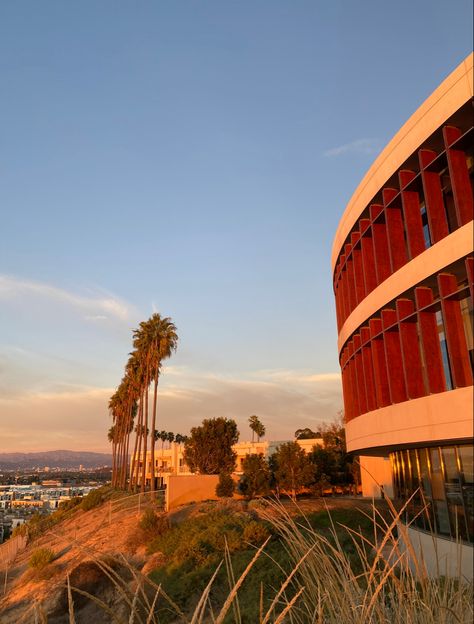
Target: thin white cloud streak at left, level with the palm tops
column 98, row 306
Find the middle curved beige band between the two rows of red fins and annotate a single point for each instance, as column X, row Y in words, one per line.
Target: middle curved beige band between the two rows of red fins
column 434, row 259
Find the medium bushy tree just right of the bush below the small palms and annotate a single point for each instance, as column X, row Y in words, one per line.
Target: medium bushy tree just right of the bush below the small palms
column 293, row 469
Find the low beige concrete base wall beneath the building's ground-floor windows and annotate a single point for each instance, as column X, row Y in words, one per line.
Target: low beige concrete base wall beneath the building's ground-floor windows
column 442, row 557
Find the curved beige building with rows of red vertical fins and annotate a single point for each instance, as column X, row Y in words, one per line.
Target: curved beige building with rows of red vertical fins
column 403, row 282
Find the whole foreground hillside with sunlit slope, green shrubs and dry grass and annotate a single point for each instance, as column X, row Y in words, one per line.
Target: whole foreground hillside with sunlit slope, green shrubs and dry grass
column 225, row 561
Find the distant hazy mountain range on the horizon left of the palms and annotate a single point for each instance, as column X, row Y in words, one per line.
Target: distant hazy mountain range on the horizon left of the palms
column 54, row 459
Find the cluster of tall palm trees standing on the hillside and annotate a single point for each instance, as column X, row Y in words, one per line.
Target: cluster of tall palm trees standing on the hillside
column 154, row 341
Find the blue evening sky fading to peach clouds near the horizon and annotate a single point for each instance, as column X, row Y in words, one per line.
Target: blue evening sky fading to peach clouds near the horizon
column 191, row 158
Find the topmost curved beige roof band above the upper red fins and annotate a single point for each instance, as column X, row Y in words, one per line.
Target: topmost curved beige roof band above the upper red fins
column 442, row 103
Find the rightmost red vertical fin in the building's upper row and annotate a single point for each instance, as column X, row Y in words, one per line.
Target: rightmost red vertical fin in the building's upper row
column 459, row 174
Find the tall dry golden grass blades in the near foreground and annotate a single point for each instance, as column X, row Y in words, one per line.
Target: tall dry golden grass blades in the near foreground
column 384, row 585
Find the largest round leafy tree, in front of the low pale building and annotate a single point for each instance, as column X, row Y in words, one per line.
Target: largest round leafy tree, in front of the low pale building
column 208, row 450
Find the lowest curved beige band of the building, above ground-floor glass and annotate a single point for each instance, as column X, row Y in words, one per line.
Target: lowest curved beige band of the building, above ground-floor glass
column 437, row 417
